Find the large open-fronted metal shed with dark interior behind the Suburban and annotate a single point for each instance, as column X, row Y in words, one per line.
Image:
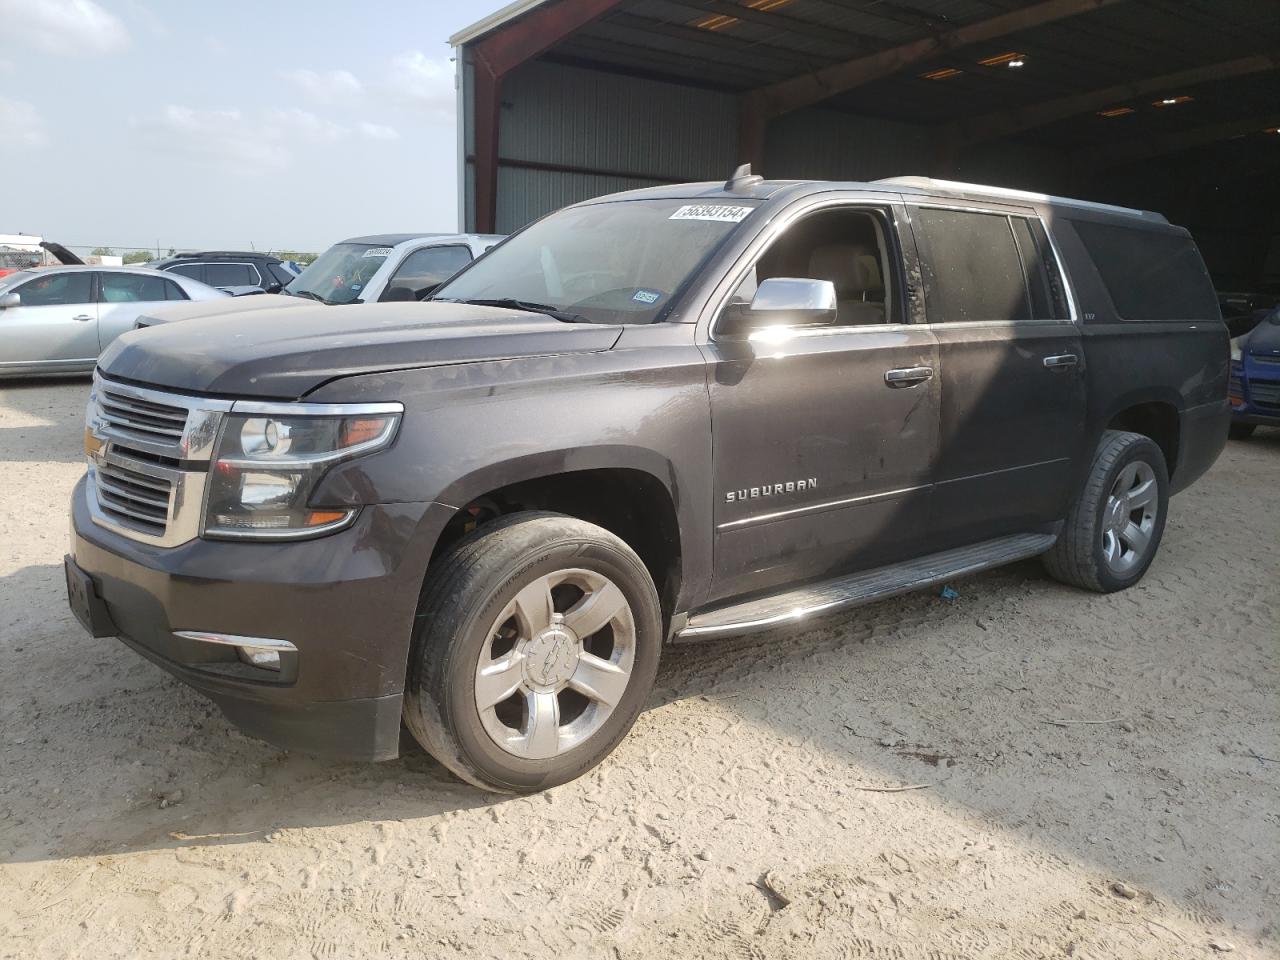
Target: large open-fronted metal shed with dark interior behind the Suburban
column 1172, row 106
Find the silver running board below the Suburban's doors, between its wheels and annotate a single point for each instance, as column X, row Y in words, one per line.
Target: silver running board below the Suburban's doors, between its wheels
column 803, row 604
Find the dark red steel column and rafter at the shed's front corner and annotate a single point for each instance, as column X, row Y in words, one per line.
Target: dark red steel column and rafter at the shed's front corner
column 497, row 56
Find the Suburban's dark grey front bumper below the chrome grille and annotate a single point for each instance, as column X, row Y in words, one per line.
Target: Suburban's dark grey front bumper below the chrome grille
column 346, row 602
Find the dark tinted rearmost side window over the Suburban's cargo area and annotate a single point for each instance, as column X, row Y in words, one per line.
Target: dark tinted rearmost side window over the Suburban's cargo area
column 1150, row 275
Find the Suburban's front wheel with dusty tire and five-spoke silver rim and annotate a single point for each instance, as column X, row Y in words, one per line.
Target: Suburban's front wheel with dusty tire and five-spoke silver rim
column 528, row 593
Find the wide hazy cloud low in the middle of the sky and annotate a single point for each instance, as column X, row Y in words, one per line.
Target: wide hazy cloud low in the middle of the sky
column 216, row 139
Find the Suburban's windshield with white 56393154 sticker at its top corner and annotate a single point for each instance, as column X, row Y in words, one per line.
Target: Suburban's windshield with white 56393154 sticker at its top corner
column 618, row 263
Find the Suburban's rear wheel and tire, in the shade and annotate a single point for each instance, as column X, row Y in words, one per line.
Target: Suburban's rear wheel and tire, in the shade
column 1099, row 550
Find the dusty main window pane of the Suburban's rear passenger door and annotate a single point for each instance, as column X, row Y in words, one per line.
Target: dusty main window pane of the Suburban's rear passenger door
column 973, row 269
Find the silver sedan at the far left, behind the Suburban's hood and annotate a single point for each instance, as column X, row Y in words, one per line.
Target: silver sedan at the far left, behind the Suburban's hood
column 58, row 321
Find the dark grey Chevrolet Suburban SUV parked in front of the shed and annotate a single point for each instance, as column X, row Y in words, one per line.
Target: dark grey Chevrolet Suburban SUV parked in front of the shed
column 656, row 418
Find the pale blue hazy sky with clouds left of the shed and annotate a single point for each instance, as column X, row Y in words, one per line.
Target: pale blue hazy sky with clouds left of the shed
column 237, row 125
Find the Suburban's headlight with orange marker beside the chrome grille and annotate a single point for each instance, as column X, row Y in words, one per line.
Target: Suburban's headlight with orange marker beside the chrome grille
column 268, row 464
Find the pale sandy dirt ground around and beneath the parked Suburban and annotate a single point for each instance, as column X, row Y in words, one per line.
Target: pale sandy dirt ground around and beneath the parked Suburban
column 737, row 821
